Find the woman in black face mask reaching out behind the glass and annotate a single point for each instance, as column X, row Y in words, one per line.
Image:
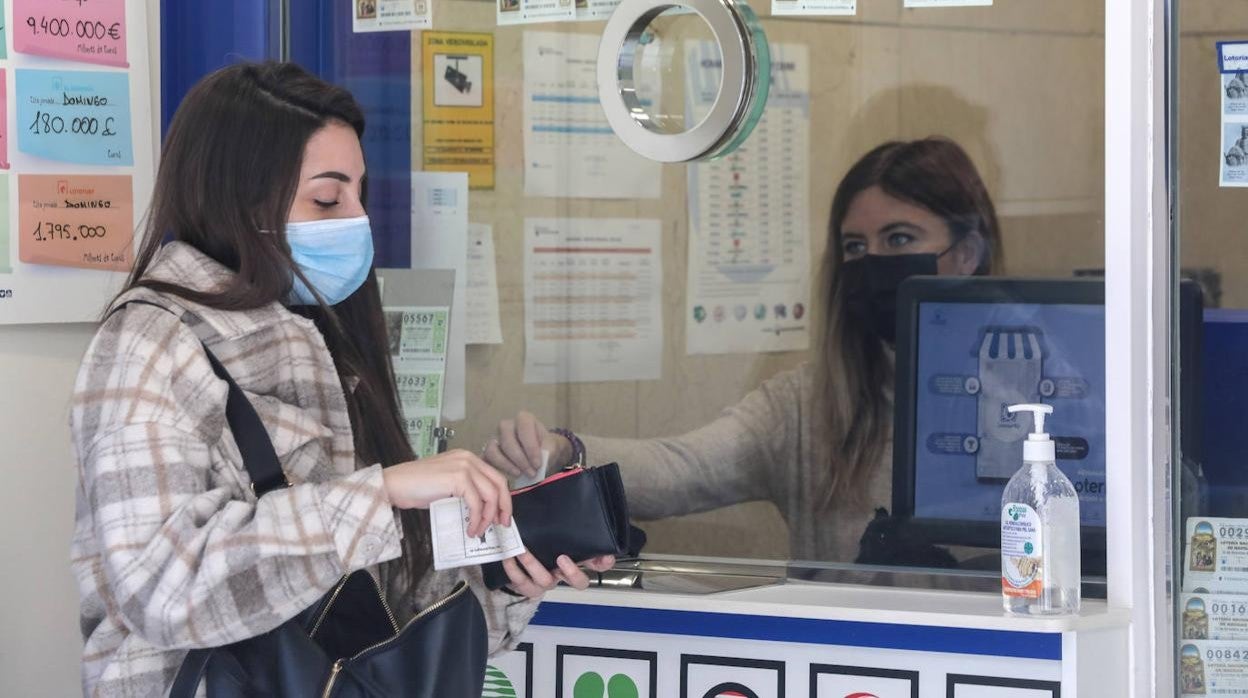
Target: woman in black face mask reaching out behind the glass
column 817, row 440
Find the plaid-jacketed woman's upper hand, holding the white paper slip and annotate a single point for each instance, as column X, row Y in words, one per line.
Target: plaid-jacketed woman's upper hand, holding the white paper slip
column 456, row 474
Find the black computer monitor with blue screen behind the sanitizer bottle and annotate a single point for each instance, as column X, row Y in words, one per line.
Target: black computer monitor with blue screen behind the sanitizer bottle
column 967, row 349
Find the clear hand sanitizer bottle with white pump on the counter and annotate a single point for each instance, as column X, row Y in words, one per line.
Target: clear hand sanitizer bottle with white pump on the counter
column 1040, row 530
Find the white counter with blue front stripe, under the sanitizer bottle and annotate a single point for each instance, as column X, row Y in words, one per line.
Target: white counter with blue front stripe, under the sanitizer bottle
column 812, row 640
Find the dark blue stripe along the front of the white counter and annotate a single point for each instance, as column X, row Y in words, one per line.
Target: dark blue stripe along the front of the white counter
column 848, row 634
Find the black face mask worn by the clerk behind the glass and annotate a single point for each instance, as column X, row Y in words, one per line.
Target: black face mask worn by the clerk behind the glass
column 870, row 287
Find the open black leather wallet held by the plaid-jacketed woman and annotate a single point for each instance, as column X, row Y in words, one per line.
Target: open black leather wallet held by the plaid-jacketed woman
column 578, row 513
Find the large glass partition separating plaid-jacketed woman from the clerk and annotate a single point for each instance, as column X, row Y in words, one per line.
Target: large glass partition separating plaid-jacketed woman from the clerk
column 753, row 370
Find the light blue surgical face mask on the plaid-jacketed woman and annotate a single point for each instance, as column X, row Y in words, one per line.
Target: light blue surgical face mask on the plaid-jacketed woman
column 335, row 255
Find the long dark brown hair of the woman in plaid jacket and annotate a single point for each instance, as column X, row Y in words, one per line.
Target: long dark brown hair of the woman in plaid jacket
column 229, row 170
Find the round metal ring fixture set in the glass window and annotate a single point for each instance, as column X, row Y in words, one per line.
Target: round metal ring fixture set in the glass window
column 743, row 89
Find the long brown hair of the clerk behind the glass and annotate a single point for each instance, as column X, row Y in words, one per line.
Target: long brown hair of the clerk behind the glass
column 854, row 371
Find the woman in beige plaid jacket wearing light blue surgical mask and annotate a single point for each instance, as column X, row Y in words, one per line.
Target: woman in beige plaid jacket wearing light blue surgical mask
column 269, row 265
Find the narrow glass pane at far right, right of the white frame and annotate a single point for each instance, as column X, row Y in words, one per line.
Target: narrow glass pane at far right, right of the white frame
column 1210, row 312
